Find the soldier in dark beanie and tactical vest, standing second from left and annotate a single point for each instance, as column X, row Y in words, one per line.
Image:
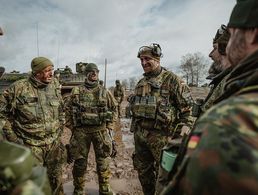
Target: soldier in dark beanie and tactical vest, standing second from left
column 93, row 113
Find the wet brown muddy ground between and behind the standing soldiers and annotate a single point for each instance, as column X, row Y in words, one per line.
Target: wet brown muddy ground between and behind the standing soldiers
column 124, row 180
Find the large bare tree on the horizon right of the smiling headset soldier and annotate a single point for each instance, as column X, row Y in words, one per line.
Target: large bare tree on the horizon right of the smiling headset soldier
column 194, row 68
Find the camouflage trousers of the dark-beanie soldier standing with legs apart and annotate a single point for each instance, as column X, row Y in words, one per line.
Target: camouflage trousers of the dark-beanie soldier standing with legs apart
column 80, row 147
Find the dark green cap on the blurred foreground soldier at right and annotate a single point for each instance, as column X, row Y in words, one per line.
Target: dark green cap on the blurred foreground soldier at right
column 244, row 14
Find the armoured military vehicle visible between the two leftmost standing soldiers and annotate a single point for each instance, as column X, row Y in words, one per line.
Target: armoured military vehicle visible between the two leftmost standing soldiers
column 69, row 80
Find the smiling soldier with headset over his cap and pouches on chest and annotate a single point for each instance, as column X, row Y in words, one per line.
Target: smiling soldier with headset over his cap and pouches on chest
column 160, row 110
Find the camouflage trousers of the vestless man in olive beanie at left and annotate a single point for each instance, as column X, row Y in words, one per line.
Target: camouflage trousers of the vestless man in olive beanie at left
column 52, row 157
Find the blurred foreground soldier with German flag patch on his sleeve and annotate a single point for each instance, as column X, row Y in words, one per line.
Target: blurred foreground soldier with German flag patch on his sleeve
column 221, row 153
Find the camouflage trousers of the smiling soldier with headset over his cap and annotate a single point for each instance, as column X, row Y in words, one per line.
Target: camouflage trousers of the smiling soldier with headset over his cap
column 146, row 158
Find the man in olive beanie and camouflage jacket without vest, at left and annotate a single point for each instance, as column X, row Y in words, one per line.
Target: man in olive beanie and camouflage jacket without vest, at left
column 32, row 109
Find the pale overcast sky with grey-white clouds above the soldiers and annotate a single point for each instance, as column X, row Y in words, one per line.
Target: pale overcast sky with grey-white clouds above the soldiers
column 70, row 31
